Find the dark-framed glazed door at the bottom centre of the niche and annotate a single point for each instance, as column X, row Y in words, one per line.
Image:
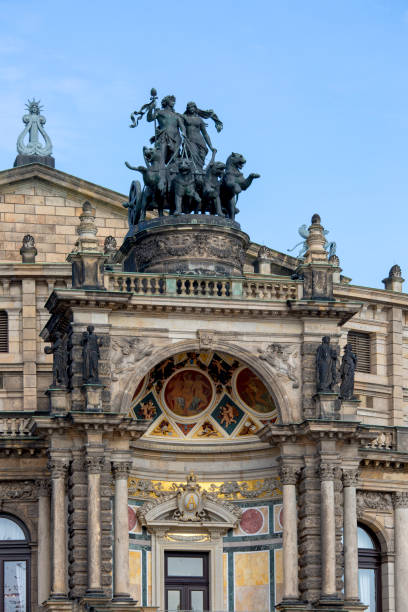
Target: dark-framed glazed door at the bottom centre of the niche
column 186, row 581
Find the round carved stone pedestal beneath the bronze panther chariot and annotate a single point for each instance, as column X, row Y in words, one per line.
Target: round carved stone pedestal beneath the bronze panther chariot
column 189, row 244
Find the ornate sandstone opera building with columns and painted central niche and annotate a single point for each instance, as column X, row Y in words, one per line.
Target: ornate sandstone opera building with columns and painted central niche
column 202, row 470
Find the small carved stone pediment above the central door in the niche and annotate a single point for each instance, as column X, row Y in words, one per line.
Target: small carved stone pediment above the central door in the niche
column 189, row 508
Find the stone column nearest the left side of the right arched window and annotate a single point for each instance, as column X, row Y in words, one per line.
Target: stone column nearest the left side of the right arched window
column 350, row 535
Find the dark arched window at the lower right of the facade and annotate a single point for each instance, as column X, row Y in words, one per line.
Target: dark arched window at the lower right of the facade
column 369, row 569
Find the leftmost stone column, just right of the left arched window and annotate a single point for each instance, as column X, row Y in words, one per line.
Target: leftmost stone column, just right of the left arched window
column 44, row 540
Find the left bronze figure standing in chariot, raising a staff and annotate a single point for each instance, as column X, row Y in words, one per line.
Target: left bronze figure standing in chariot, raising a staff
column 167, row 137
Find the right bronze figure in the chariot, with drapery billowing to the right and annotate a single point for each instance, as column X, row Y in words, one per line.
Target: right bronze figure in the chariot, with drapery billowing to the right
column 197, row 138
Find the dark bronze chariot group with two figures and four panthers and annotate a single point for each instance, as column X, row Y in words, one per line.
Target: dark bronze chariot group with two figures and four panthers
column 175, row 176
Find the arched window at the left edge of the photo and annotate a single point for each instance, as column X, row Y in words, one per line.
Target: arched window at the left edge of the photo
column 14, row 565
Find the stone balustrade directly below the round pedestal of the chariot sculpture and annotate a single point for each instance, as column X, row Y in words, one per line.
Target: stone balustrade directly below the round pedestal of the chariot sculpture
column 248, row 288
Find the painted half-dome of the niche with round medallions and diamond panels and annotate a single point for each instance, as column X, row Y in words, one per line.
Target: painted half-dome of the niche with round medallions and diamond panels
column 203, row 395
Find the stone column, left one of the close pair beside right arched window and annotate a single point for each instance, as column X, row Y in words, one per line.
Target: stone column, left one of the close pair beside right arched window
column 328, row 531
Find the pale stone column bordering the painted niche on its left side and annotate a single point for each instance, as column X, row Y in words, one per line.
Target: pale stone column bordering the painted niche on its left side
column 121, row 471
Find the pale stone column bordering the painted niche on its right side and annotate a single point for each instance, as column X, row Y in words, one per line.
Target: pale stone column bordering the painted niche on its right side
column 288, row 475
